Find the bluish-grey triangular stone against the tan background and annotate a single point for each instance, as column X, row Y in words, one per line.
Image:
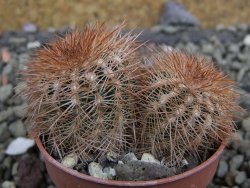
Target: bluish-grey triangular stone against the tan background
column 176, row 14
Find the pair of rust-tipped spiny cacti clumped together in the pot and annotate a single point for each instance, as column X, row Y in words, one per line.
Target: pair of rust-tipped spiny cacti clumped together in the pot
column 88, row 93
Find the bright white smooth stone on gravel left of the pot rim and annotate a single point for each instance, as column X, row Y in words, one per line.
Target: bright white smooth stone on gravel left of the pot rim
column 19, row 146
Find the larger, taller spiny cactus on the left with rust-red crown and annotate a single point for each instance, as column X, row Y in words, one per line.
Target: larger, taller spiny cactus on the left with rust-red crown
column 80, row 92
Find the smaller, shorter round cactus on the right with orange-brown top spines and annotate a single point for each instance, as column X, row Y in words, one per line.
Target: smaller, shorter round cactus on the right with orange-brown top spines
column 187, row 106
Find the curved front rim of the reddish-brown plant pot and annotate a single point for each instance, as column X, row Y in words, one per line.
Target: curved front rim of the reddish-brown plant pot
column 170, row 179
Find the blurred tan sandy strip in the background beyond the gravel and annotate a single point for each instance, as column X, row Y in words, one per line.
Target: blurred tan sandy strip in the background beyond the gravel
column 139, row 13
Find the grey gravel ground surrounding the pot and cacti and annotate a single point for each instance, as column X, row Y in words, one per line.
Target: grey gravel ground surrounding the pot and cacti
column 228, row 47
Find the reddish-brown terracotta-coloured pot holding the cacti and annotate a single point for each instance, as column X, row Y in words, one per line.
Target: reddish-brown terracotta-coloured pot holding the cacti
column 198, row 177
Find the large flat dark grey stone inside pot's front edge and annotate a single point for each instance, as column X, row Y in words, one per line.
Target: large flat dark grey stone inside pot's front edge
column 140, row 170
